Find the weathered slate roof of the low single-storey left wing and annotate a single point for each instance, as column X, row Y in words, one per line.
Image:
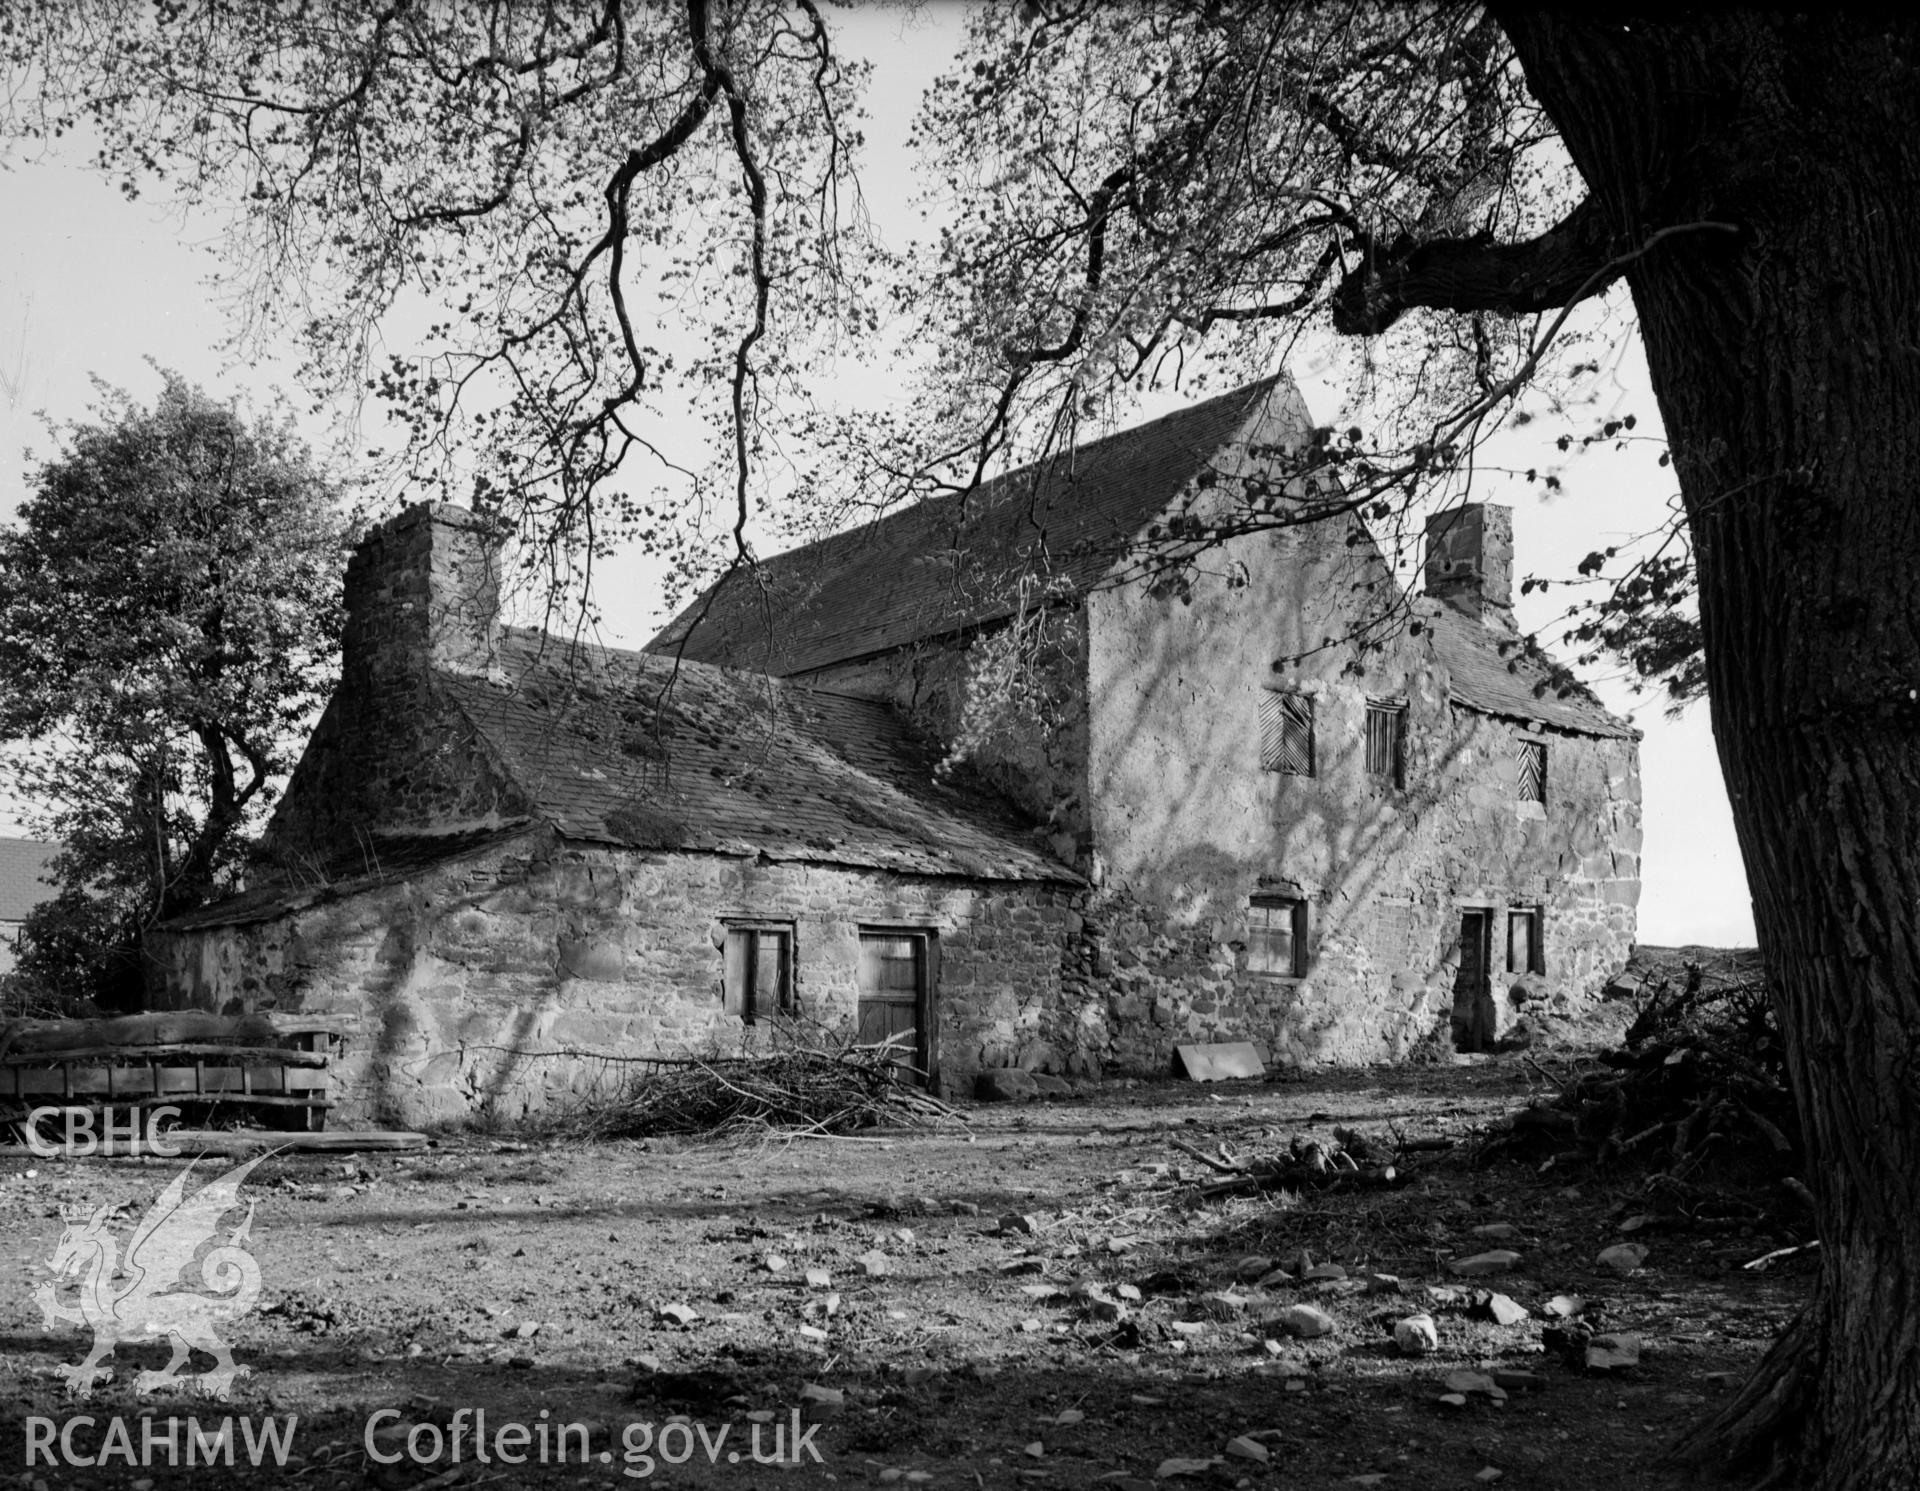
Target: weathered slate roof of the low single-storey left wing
column 744, row 765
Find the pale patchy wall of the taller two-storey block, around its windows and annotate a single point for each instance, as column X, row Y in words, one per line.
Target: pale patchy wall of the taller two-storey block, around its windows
column 1188, row 826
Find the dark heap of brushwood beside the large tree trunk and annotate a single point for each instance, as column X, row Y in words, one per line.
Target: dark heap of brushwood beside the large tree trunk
column 1698, row 1097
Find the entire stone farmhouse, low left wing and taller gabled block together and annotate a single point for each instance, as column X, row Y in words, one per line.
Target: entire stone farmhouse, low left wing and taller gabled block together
column 972, row 778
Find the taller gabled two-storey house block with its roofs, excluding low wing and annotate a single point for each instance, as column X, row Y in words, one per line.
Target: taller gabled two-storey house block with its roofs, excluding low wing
column 1328, row 849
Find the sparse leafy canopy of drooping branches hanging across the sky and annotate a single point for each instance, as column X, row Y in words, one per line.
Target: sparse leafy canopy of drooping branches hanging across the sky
column 600, row 214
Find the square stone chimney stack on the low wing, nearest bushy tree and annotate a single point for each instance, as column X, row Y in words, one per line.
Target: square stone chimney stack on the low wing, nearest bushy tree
column 423, row 596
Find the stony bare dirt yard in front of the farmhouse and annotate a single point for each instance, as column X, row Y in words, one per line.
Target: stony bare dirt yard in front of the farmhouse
column 531, row 1281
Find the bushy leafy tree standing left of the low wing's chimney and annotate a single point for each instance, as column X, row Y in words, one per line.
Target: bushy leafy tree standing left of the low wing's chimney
column 170, row 621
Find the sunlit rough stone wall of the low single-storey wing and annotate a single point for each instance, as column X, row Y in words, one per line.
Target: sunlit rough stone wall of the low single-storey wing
column 464, row 970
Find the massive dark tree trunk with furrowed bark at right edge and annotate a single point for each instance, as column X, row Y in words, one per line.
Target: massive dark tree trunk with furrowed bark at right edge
column 1787, row 362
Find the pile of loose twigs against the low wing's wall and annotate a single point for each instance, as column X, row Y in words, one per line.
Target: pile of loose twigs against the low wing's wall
column 794, row 1093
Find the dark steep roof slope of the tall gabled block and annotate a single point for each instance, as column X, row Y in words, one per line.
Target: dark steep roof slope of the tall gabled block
column 957, row 561
